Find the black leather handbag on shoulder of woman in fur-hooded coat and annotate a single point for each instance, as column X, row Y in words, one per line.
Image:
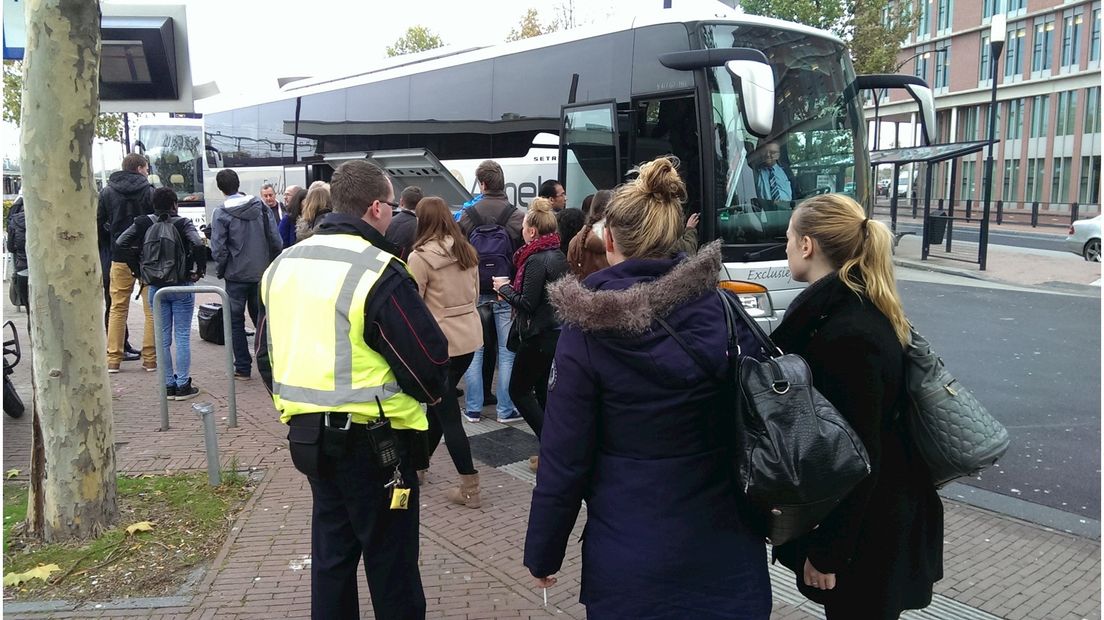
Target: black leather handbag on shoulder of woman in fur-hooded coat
column 794, row 455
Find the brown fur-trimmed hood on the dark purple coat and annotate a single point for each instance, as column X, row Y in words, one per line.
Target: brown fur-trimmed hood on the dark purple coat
column 632, row 312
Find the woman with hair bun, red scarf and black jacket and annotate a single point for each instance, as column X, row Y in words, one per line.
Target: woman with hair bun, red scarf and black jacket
column 536, row 329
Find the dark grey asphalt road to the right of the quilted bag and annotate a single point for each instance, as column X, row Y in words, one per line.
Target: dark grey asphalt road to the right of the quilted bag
column 1034, row 360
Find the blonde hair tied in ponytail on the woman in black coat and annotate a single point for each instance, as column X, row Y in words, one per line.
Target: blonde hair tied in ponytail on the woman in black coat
column 859, row 248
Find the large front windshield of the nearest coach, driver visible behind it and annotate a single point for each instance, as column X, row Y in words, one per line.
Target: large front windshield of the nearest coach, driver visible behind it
column 815, row 147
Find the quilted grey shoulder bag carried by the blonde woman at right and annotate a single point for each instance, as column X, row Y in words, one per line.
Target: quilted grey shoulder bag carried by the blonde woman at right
column 951, row 431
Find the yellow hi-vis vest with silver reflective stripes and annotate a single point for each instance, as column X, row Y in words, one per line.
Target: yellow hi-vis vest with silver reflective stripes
column 315, row 295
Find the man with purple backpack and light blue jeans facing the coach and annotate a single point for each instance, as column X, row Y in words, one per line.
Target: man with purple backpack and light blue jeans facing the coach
column 490, row 209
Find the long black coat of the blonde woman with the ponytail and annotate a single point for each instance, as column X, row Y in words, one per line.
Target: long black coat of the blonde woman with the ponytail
column 885, row 541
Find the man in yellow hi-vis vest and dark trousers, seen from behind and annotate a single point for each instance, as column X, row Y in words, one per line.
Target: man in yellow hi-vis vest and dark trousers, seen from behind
column 355, row 352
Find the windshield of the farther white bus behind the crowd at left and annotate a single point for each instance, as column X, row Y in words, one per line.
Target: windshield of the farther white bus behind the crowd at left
column 175, row 156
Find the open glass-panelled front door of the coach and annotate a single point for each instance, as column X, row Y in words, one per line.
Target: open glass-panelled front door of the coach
column 590, row 154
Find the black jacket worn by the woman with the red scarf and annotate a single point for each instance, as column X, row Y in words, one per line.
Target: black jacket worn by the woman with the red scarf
column 534, row 313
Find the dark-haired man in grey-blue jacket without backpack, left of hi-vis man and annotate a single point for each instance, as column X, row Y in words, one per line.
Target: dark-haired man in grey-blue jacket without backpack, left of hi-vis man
column 243, row 241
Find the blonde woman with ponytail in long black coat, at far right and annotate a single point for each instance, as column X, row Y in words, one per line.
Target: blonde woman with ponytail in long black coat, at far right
column 882, row 549
